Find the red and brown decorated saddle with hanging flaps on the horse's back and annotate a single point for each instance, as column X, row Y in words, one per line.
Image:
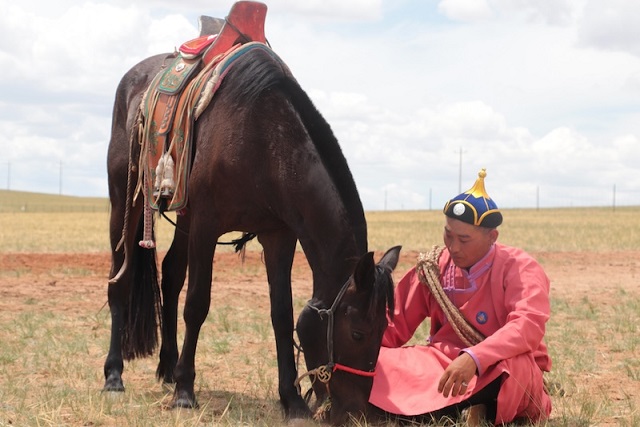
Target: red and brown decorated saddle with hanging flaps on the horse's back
column 179, row 94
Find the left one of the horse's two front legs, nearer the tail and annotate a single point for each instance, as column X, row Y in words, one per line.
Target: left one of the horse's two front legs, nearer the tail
column 201, row 251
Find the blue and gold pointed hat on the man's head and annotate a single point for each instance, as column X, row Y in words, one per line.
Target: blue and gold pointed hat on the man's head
column 474, row 206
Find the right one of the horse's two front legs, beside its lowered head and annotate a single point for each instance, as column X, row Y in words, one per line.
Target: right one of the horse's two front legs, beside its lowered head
column 279, row 250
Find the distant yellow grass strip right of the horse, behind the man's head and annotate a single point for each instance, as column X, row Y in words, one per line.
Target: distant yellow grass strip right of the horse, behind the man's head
column 545, row 230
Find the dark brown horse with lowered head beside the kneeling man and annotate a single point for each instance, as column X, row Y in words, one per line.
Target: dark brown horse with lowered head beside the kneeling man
column 264, row 161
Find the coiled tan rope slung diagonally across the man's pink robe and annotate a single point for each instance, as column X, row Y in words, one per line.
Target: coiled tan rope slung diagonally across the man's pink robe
column 429, row 274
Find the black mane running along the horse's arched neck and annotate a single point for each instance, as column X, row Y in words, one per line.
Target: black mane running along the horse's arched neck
column 259, row 70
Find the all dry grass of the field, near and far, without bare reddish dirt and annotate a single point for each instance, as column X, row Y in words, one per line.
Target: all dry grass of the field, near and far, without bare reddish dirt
column 51, row 352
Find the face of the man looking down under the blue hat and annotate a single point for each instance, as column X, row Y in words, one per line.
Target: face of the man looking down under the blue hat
column 467, row 243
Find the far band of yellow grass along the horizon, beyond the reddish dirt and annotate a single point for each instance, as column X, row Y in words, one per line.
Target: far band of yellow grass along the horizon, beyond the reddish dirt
column 546, row 230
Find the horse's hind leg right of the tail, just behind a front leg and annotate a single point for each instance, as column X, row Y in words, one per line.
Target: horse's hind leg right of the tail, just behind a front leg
column 174, row 270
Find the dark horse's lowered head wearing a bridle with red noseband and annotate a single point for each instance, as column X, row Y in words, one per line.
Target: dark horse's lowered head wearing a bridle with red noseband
column 342, row 360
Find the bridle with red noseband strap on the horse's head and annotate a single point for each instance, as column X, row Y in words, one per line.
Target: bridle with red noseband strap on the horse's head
column 323, row 373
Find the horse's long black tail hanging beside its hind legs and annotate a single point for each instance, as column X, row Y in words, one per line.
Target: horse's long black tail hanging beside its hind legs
column 142, row 316
